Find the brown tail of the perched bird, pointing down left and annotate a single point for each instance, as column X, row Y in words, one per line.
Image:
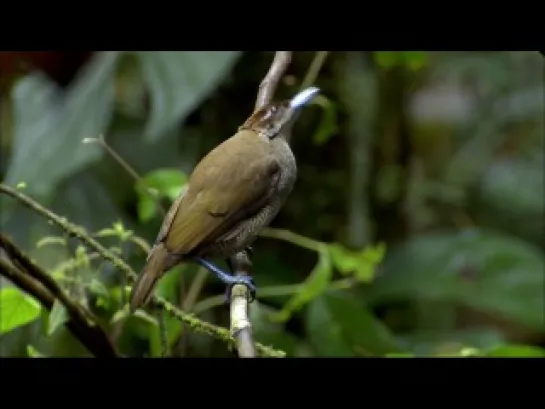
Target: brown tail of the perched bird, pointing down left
column 146, row 281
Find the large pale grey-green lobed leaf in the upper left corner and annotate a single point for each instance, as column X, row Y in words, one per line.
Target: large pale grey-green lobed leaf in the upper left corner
column 49, row 126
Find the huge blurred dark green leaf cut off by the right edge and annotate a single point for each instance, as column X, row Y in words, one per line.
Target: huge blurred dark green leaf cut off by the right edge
column 489, row 272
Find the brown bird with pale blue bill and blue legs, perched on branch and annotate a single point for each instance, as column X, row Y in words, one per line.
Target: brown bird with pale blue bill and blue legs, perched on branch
column 233, row 192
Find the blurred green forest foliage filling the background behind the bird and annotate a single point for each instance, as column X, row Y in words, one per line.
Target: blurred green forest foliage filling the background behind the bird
column 420, row 198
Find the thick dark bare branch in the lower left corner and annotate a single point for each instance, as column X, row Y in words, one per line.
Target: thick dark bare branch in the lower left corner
column 29, row 277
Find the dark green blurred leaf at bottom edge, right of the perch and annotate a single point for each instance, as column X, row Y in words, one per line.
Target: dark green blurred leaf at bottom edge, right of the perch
column 338, row 322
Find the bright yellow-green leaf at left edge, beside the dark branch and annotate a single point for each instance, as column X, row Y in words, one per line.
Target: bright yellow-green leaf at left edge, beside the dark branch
column 16, row 309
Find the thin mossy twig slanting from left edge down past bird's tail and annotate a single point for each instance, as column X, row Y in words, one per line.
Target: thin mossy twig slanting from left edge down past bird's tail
column 79, row 232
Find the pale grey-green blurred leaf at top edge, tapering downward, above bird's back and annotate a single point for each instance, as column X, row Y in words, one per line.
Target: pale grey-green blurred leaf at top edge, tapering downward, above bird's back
column 178, row 81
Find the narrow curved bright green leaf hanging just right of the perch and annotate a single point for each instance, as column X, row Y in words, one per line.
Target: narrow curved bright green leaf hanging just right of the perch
column 313, row 286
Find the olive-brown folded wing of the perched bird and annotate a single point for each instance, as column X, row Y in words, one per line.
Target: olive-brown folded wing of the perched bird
column 229, row 184
